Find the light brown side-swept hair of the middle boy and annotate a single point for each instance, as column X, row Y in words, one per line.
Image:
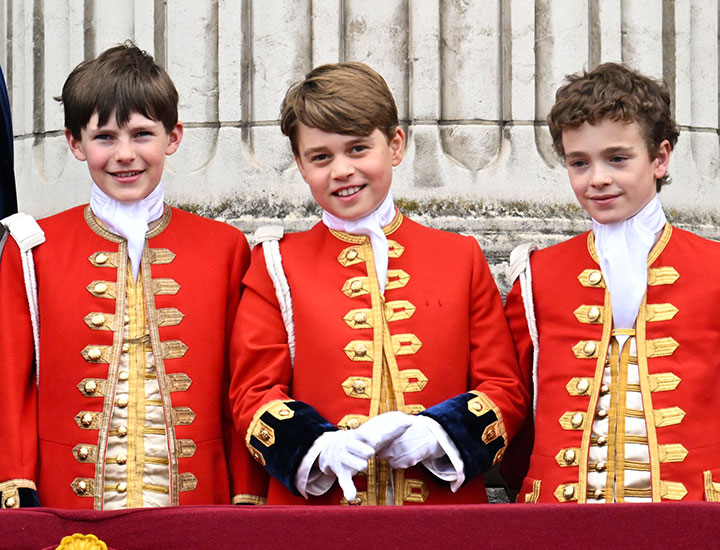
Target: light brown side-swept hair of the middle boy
column 343, row 98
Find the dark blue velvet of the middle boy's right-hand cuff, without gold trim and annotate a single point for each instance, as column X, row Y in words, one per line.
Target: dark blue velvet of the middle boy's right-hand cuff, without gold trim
column 466, row 429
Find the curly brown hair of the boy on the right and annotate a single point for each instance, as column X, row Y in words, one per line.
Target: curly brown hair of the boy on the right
column 613, row 91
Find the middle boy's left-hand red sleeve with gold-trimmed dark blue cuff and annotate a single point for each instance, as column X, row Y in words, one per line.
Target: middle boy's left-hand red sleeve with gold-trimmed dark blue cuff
column 278, row 430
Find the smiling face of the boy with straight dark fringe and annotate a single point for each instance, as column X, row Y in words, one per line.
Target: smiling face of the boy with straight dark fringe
column 125, row 162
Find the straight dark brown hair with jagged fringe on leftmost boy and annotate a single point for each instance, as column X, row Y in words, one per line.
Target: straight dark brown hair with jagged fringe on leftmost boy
column 122, row 80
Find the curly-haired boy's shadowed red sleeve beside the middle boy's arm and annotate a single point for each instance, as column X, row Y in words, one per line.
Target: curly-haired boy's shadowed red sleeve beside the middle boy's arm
column 517, row 458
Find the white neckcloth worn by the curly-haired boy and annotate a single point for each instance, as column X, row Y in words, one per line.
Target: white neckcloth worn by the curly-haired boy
column 623, row 249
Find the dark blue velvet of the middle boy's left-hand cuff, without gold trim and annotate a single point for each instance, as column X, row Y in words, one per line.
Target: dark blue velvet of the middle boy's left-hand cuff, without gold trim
column 293, row 439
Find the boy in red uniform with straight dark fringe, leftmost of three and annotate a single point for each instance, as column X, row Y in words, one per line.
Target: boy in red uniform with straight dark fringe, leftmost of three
column 136, row 306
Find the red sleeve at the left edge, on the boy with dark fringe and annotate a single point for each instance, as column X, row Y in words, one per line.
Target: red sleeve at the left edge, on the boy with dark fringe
column 18, row 390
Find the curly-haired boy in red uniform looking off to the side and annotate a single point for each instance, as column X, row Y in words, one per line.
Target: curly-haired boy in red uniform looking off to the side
column 618, row 318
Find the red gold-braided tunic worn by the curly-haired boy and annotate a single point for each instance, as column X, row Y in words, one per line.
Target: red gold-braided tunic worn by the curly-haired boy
column 677, row 334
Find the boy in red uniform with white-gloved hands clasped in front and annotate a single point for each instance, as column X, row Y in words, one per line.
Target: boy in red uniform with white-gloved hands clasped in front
column 396, row 349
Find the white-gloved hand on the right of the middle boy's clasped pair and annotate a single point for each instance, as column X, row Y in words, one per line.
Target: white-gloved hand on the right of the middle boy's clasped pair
column 414, row 445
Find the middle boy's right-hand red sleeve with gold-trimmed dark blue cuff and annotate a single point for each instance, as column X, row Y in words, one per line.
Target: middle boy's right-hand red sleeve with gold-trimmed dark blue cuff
column 482, row 421
